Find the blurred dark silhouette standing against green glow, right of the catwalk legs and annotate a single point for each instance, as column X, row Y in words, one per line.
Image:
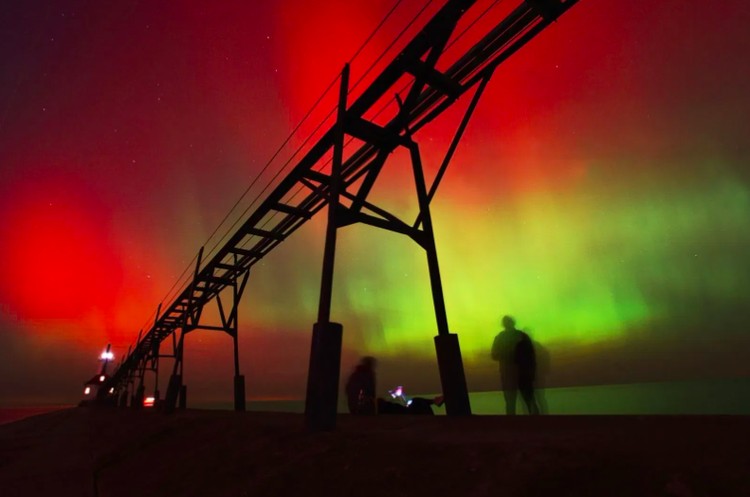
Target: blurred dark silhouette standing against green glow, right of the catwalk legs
column 514, row 351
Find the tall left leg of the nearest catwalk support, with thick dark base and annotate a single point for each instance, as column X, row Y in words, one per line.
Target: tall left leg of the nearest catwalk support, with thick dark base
column 325, row 351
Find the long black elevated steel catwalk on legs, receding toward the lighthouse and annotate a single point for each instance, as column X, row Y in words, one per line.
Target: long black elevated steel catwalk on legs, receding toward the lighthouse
column 345, row 190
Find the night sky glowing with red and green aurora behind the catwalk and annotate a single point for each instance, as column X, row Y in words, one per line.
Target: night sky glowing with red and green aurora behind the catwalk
column 601, row 194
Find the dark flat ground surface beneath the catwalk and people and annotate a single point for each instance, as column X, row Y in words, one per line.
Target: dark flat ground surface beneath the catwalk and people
column 108, row 452
